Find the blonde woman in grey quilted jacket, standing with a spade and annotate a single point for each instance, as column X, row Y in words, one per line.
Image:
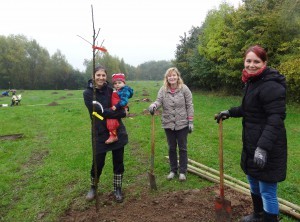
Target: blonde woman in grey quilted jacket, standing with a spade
column 176, row 101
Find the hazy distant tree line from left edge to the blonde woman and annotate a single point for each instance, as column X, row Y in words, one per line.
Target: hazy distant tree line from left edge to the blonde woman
column 24, row 64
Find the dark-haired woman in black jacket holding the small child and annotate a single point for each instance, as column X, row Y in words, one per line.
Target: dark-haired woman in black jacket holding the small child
column 103, row 96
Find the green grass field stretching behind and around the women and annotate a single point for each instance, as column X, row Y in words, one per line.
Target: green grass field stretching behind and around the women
column 47, row 170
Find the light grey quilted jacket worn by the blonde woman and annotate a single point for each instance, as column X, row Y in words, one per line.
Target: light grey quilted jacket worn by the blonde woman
column 177, row 107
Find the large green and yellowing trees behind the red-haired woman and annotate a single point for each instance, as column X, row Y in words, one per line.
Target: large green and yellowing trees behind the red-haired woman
column 210, row 57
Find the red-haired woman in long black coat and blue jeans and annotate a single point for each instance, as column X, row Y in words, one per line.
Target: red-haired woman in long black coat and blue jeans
column 264, row 153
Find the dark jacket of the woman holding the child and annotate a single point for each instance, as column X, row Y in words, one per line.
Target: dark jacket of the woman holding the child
column 103, row 96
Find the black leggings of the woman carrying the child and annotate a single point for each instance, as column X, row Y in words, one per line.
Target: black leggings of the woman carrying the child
column 118, row 162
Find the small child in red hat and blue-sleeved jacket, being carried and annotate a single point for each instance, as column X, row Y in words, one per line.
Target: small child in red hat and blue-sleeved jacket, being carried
column 119, row 100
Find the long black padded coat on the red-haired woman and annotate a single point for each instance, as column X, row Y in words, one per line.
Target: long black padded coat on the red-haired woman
column 264, row 110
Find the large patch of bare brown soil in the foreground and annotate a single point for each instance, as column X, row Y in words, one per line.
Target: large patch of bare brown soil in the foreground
column 188, row 205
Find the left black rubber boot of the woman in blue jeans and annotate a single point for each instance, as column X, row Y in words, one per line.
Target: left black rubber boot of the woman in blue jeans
column 257, row 215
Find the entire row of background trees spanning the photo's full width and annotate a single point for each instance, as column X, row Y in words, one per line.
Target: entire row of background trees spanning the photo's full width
column 210, row 57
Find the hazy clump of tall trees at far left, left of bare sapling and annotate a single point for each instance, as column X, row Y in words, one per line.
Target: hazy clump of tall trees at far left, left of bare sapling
column 24, row 64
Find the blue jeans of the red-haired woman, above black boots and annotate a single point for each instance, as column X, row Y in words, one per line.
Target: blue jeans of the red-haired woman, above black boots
column 268, row 193
